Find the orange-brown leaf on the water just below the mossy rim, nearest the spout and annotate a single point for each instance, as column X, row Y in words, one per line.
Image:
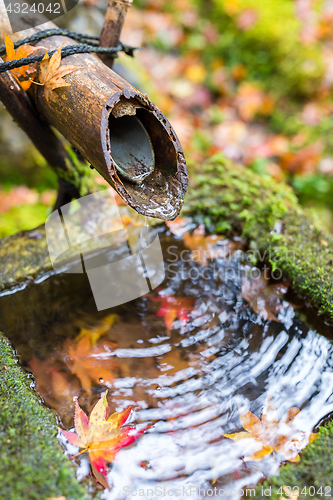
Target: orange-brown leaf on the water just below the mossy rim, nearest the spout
column 206, row 248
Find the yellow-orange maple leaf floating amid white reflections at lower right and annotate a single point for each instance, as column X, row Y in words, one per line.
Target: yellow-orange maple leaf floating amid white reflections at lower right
column 268, row 433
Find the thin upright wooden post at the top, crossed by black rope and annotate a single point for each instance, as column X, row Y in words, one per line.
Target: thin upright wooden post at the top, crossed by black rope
column 113, row 23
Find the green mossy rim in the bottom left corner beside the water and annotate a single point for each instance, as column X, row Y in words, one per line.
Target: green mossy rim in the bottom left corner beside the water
column 33, row 465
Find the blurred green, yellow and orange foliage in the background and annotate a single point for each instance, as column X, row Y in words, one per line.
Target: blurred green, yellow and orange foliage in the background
column 250, row 78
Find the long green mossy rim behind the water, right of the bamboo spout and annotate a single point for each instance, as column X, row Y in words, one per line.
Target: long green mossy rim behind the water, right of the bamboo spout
column 231, row 198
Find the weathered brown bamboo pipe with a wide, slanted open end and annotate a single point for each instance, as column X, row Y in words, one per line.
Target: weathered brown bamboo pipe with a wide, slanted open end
column 91, row 111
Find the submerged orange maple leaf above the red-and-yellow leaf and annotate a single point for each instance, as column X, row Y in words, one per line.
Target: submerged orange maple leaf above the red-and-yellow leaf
column 90, row 365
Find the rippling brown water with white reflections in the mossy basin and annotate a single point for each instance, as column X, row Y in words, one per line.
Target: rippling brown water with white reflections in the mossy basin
column 189, row 382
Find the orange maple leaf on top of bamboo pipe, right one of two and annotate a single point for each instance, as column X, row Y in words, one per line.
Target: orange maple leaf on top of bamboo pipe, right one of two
column 51, row 73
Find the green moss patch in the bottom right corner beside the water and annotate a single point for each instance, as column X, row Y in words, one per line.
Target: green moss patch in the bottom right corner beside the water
column 314, row 469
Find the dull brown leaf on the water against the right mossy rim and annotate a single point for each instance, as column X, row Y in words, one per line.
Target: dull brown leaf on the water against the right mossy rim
column 264, row 299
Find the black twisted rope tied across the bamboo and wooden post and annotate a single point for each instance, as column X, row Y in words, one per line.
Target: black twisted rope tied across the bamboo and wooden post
column 87, row 45
